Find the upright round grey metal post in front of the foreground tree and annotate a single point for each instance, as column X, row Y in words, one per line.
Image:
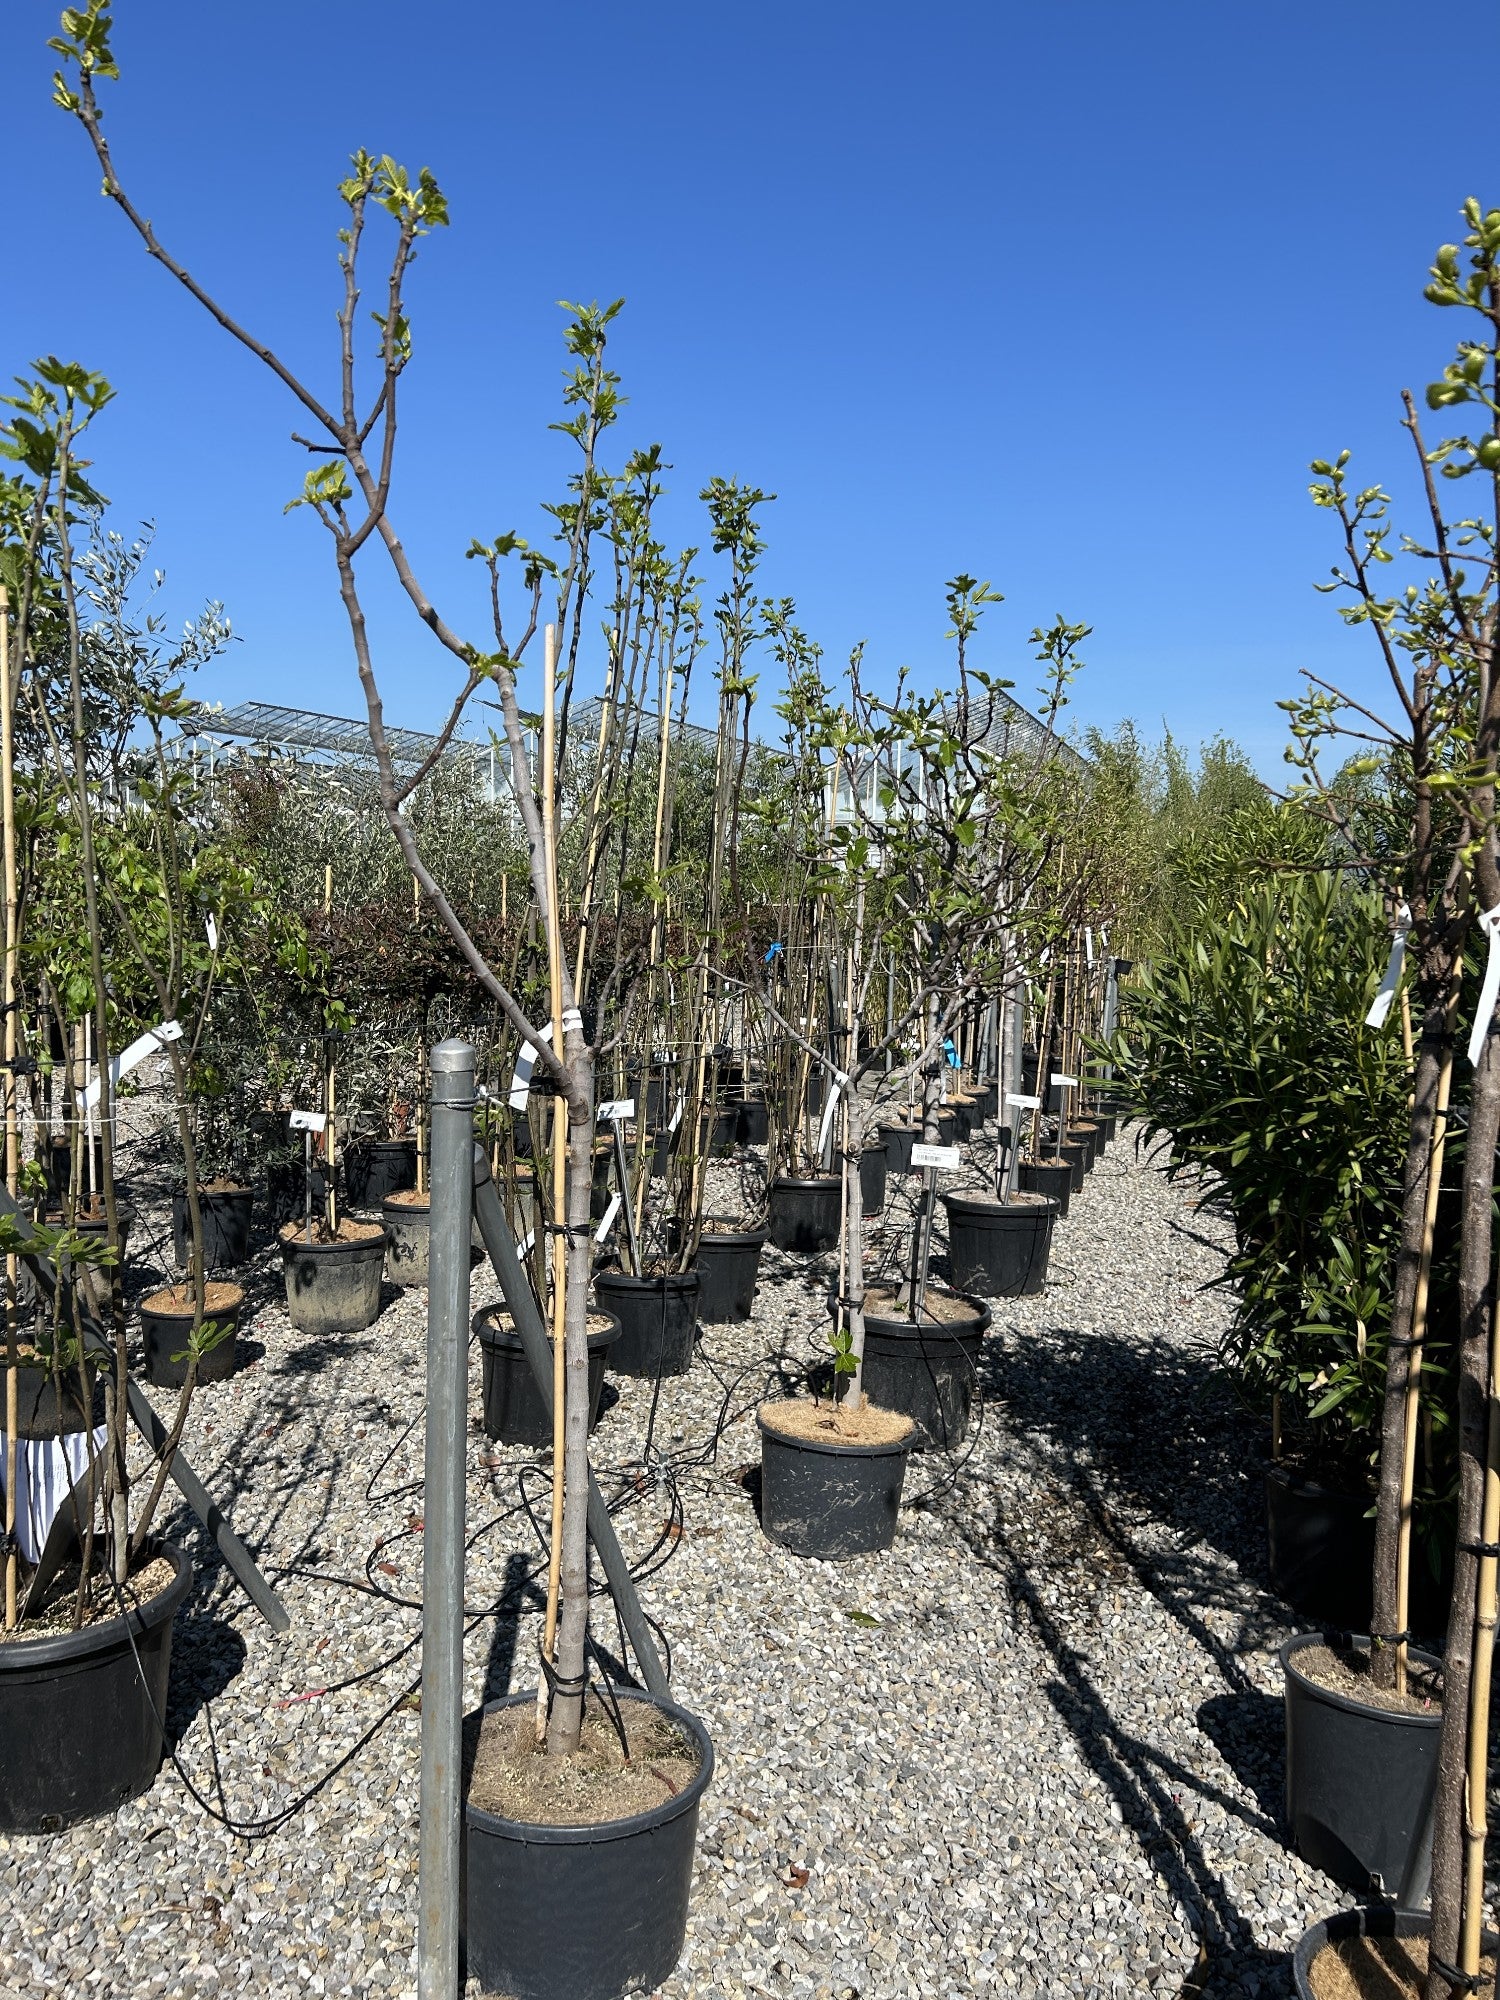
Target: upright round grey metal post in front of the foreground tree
column 443, row 1519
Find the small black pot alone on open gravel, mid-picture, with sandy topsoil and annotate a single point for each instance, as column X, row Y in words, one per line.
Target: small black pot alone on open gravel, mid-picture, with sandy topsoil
column 831, row 1501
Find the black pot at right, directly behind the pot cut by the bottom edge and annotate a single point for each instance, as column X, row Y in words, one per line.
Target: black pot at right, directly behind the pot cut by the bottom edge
column 1359, row 1779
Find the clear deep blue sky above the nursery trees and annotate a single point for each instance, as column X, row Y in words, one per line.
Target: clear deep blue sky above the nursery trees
column 1061, row 295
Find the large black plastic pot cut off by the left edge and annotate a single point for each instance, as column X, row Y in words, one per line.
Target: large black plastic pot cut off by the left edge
column 79, row 1719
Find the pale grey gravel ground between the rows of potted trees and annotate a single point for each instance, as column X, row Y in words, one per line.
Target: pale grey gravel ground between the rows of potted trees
column 1035, row 1749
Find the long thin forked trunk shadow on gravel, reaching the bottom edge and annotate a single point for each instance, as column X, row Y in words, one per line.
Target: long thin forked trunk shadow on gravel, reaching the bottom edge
column 1149, row 1791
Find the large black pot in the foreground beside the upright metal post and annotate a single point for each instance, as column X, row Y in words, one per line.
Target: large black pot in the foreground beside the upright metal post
column 589, row 1913
